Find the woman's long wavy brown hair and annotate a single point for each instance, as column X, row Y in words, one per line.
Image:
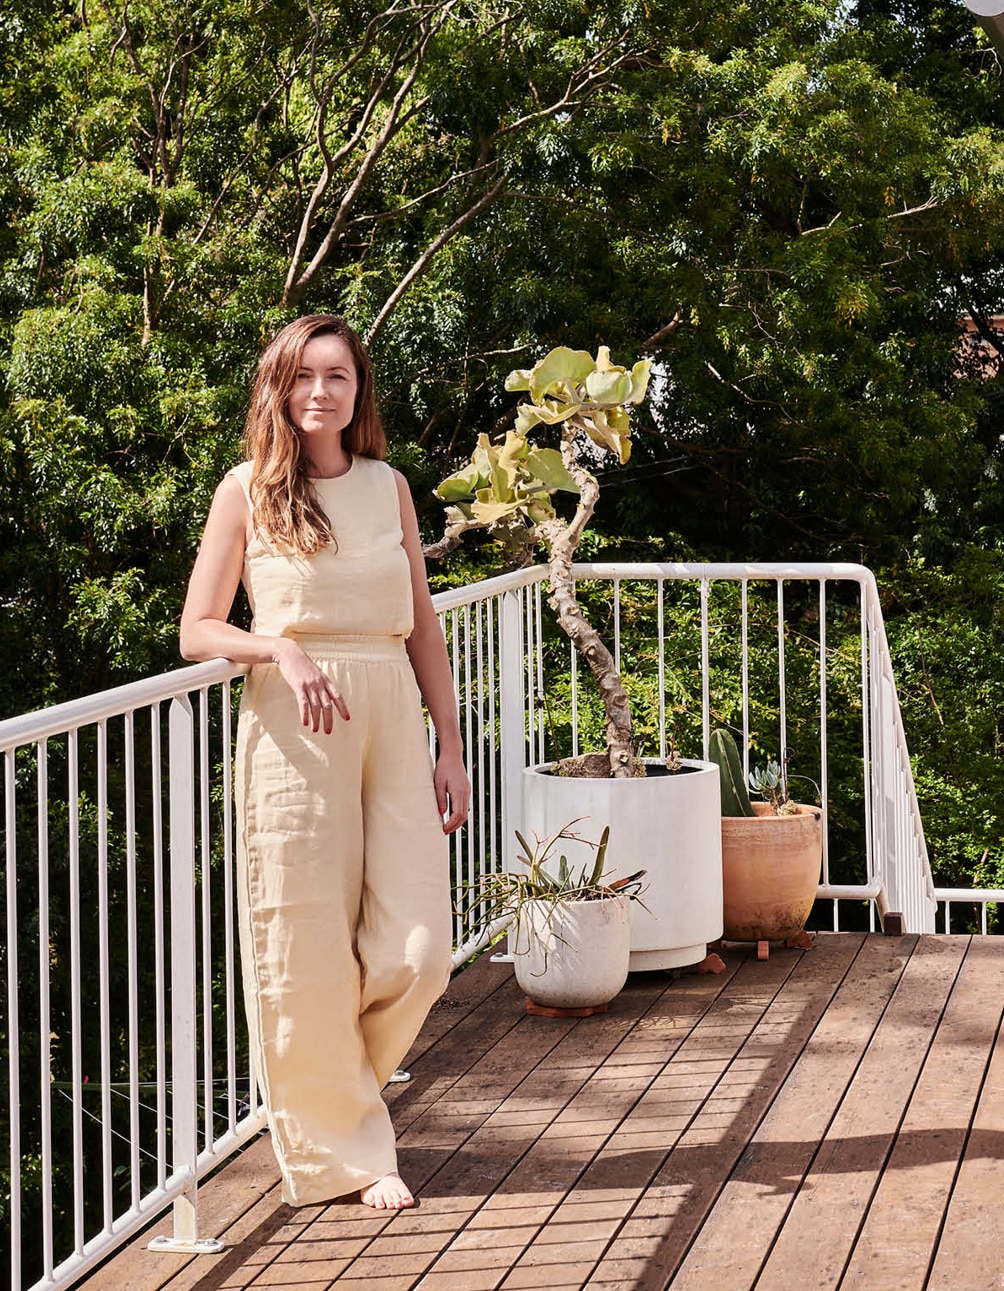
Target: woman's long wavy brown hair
column 285, row 502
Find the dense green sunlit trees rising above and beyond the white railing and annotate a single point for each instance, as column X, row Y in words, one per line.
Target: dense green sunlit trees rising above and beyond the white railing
column 789, row 206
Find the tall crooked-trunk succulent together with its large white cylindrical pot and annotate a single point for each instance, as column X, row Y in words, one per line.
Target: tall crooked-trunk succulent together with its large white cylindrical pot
column 509, row 489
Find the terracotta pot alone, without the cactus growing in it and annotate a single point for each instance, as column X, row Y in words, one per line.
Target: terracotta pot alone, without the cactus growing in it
column 771, row 871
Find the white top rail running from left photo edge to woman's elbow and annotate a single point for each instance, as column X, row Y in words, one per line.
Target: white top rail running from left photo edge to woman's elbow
column 74, row 715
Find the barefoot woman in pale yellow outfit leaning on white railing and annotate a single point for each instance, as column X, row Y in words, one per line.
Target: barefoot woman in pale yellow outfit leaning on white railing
column 344, row 876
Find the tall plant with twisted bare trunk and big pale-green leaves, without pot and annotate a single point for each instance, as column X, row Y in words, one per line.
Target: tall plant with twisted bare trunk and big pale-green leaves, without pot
column 508, row 489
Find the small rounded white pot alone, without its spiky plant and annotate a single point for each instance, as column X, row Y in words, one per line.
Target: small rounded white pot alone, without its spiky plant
column 574, row 955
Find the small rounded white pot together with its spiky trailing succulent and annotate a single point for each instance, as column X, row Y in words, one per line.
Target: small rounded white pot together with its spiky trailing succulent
column 572, row 928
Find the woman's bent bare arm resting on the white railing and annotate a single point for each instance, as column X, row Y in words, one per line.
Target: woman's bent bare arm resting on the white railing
column 206, row 632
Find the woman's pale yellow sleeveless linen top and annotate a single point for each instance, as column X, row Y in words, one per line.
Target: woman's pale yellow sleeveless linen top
column 362, row 585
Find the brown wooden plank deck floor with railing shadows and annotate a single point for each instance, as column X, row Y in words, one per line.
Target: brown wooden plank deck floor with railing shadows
column 828, row 1119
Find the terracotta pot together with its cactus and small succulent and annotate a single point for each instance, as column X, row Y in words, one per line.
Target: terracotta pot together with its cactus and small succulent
column 771, row 854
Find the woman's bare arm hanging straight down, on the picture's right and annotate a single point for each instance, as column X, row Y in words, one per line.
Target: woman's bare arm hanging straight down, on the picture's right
column 428, row 653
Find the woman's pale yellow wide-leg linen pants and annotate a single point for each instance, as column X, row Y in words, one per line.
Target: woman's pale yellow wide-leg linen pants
column 344, row 904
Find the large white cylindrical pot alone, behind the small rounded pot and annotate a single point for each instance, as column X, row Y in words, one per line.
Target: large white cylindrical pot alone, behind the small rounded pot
column 668, row 826
